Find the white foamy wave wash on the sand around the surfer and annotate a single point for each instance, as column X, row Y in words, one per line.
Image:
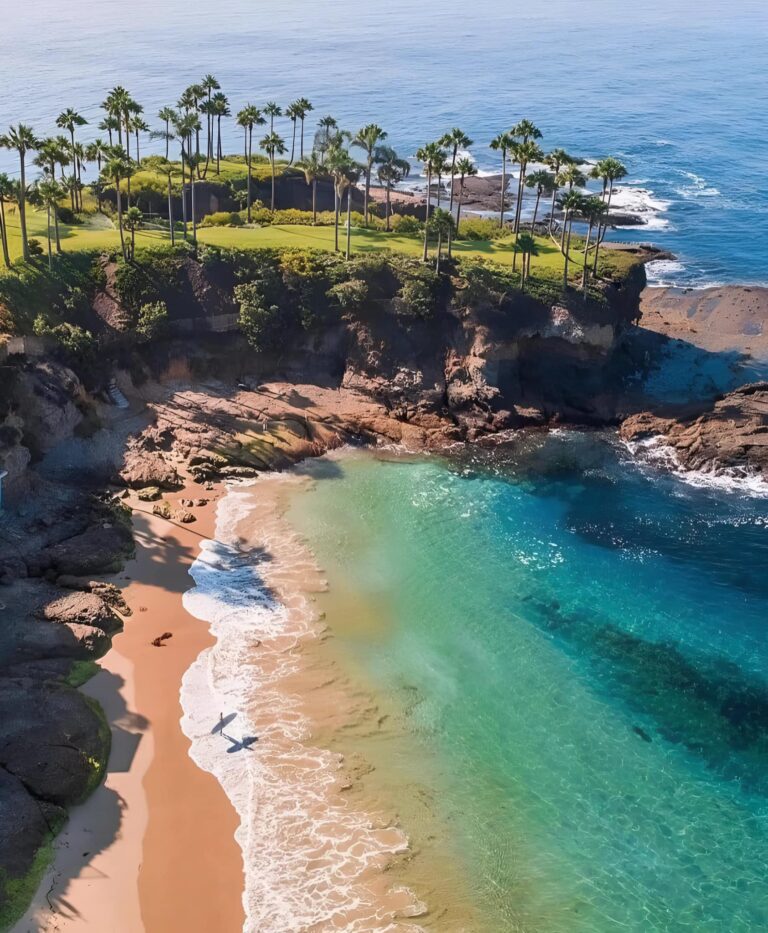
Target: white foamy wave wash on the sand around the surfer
column 304, row 850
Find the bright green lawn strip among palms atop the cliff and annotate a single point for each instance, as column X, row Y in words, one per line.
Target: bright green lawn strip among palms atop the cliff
column 99, row 232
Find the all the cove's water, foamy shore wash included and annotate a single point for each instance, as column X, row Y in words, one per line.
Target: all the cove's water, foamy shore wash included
column 534, row 680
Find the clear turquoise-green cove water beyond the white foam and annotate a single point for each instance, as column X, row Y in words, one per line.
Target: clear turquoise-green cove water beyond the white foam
column 581, row 643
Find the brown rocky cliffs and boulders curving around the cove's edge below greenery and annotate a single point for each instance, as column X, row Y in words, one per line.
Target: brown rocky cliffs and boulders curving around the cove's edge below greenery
column 425, row 384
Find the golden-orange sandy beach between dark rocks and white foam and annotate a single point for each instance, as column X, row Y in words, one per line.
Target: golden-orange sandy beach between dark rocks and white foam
column 153, row 848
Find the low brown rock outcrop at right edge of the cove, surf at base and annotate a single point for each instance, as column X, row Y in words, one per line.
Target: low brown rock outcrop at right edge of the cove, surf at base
column 732, row 435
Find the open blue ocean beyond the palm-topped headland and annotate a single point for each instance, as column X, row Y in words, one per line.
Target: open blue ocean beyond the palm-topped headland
column 677, row 90
